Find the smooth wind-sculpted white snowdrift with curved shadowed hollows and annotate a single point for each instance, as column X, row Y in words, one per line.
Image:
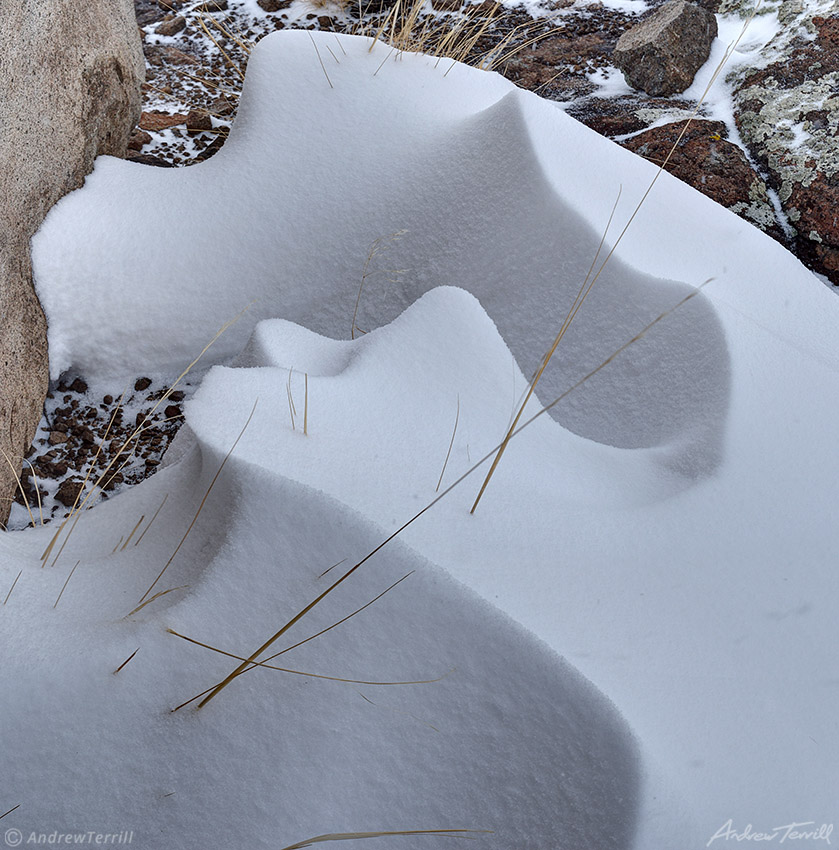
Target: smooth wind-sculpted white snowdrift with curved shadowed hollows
column 636, row 629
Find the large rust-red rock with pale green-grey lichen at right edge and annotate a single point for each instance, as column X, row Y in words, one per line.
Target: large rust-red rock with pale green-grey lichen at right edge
column 787, row 112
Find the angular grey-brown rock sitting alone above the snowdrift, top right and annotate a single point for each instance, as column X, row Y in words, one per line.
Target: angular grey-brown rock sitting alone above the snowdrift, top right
column 662, row 54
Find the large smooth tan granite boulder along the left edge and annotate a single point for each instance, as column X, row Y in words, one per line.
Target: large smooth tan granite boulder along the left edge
column 70, row 76
